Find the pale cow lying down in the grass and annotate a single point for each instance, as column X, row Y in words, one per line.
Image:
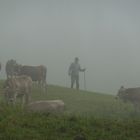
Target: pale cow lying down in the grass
column 47, row 106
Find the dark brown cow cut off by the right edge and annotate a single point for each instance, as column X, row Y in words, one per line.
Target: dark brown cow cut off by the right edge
column 130, row 95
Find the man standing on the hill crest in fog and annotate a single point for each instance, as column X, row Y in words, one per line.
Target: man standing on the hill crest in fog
column 74, row 70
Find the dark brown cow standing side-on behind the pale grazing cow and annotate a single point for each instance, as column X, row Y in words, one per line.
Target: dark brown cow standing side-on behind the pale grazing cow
column 37, row 73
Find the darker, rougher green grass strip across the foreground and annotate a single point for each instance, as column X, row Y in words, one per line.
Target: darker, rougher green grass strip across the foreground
column 16, row 124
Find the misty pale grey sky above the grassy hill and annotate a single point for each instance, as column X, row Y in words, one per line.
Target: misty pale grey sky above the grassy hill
column 104, row 34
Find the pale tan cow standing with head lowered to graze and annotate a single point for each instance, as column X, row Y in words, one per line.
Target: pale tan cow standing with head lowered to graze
column 18, row 86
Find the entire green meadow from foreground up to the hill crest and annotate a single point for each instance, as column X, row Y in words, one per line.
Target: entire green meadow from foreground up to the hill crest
column 87, row 116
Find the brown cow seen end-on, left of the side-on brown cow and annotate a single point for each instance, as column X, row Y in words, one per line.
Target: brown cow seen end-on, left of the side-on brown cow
column 11, row 68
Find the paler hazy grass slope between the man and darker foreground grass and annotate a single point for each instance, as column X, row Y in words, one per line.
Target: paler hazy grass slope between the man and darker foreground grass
column 86, row 103
